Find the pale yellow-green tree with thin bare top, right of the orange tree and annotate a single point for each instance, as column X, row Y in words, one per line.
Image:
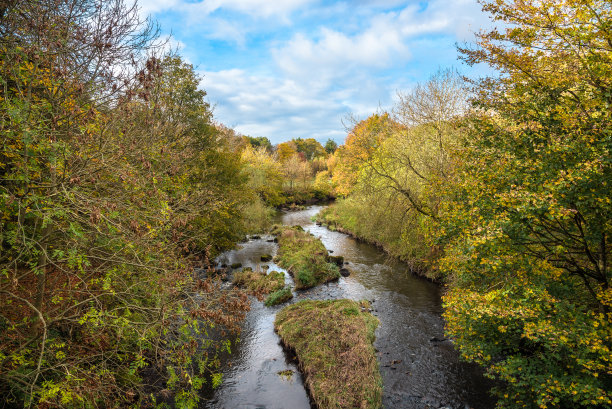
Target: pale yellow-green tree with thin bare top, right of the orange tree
column 427, row 124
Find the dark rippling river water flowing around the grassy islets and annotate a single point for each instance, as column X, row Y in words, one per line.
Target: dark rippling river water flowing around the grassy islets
column 419, row 368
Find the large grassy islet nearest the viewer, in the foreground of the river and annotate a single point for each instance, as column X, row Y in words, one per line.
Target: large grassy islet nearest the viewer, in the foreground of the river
column 333, row 343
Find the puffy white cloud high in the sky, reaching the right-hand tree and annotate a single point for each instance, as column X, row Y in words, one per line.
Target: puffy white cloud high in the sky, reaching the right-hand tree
column 385, row 42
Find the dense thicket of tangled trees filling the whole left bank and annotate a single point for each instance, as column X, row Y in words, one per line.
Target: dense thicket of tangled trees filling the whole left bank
column 112, row 188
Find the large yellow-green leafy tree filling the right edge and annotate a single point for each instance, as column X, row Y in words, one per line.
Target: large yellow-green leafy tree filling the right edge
column 529, row 230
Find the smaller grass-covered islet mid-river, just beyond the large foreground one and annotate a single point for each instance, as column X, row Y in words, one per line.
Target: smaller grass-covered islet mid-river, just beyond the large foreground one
column 305, row 257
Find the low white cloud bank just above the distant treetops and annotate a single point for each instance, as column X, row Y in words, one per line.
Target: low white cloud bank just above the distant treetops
column 278, row 108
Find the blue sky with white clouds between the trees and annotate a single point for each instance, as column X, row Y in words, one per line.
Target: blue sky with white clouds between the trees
column 296, row 68
